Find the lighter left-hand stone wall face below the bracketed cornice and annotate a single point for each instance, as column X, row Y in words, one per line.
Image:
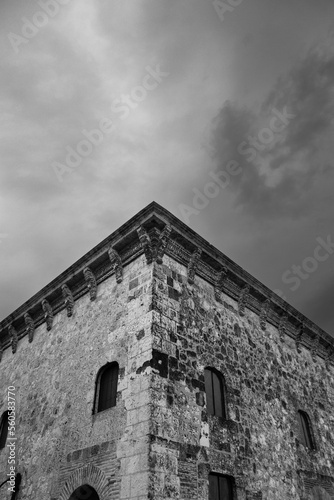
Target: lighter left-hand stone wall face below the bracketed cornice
column 59, row 440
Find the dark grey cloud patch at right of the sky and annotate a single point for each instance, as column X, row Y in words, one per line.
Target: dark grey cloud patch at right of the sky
column 279, row 174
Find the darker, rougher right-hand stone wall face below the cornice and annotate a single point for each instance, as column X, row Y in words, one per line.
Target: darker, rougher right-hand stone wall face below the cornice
column 267, row 381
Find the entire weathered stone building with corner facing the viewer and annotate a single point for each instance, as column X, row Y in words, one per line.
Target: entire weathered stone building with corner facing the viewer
column 156, row 368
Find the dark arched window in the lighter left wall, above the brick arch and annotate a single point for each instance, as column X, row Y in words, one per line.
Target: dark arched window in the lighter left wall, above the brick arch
column 106, row 387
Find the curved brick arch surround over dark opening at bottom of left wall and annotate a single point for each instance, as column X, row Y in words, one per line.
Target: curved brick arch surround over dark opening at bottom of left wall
column 89, row 474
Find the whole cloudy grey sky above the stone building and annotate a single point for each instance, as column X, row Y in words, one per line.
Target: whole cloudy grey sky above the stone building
column 220, row 112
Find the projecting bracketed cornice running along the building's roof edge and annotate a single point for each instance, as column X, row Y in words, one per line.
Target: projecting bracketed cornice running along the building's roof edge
column 155, row 231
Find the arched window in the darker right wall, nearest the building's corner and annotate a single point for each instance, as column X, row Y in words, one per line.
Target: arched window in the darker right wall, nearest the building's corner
column 215, row 392
